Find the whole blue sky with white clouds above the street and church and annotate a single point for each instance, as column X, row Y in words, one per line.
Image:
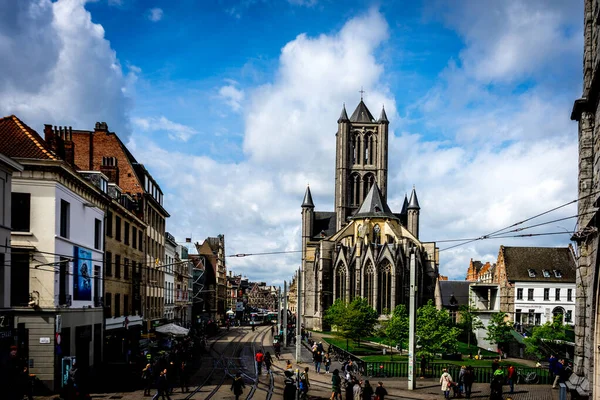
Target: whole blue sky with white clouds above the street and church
column 232, row 105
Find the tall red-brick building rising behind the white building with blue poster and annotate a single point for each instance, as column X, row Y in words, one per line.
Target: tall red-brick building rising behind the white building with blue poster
column 102, row 150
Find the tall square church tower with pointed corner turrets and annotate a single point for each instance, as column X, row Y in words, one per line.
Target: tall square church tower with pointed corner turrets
column 361, row 159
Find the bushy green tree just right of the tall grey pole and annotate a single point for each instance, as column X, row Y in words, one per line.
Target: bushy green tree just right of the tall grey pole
column 435, row 331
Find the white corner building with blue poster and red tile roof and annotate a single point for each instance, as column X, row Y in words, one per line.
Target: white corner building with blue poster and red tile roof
column 57, row 253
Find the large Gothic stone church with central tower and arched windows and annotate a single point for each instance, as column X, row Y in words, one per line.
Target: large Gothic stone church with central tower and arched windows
column 362, row 248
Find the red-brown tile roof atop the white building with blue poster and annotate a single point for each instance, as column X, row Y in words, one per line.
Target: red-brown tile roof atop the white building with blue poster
column 18, row 140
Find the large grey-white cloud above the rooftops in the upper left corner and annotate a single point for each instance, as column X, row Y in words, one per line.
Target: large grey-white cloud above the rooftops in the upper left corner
column 58, row 68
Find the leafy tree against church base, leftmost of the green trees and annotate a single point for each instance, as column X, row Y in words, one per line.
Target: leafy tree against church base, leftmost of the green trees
column 354, row 320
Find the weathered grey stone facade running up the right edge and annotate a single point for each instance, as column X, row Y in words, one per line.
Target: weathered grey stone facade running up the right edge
column 586, row 112
